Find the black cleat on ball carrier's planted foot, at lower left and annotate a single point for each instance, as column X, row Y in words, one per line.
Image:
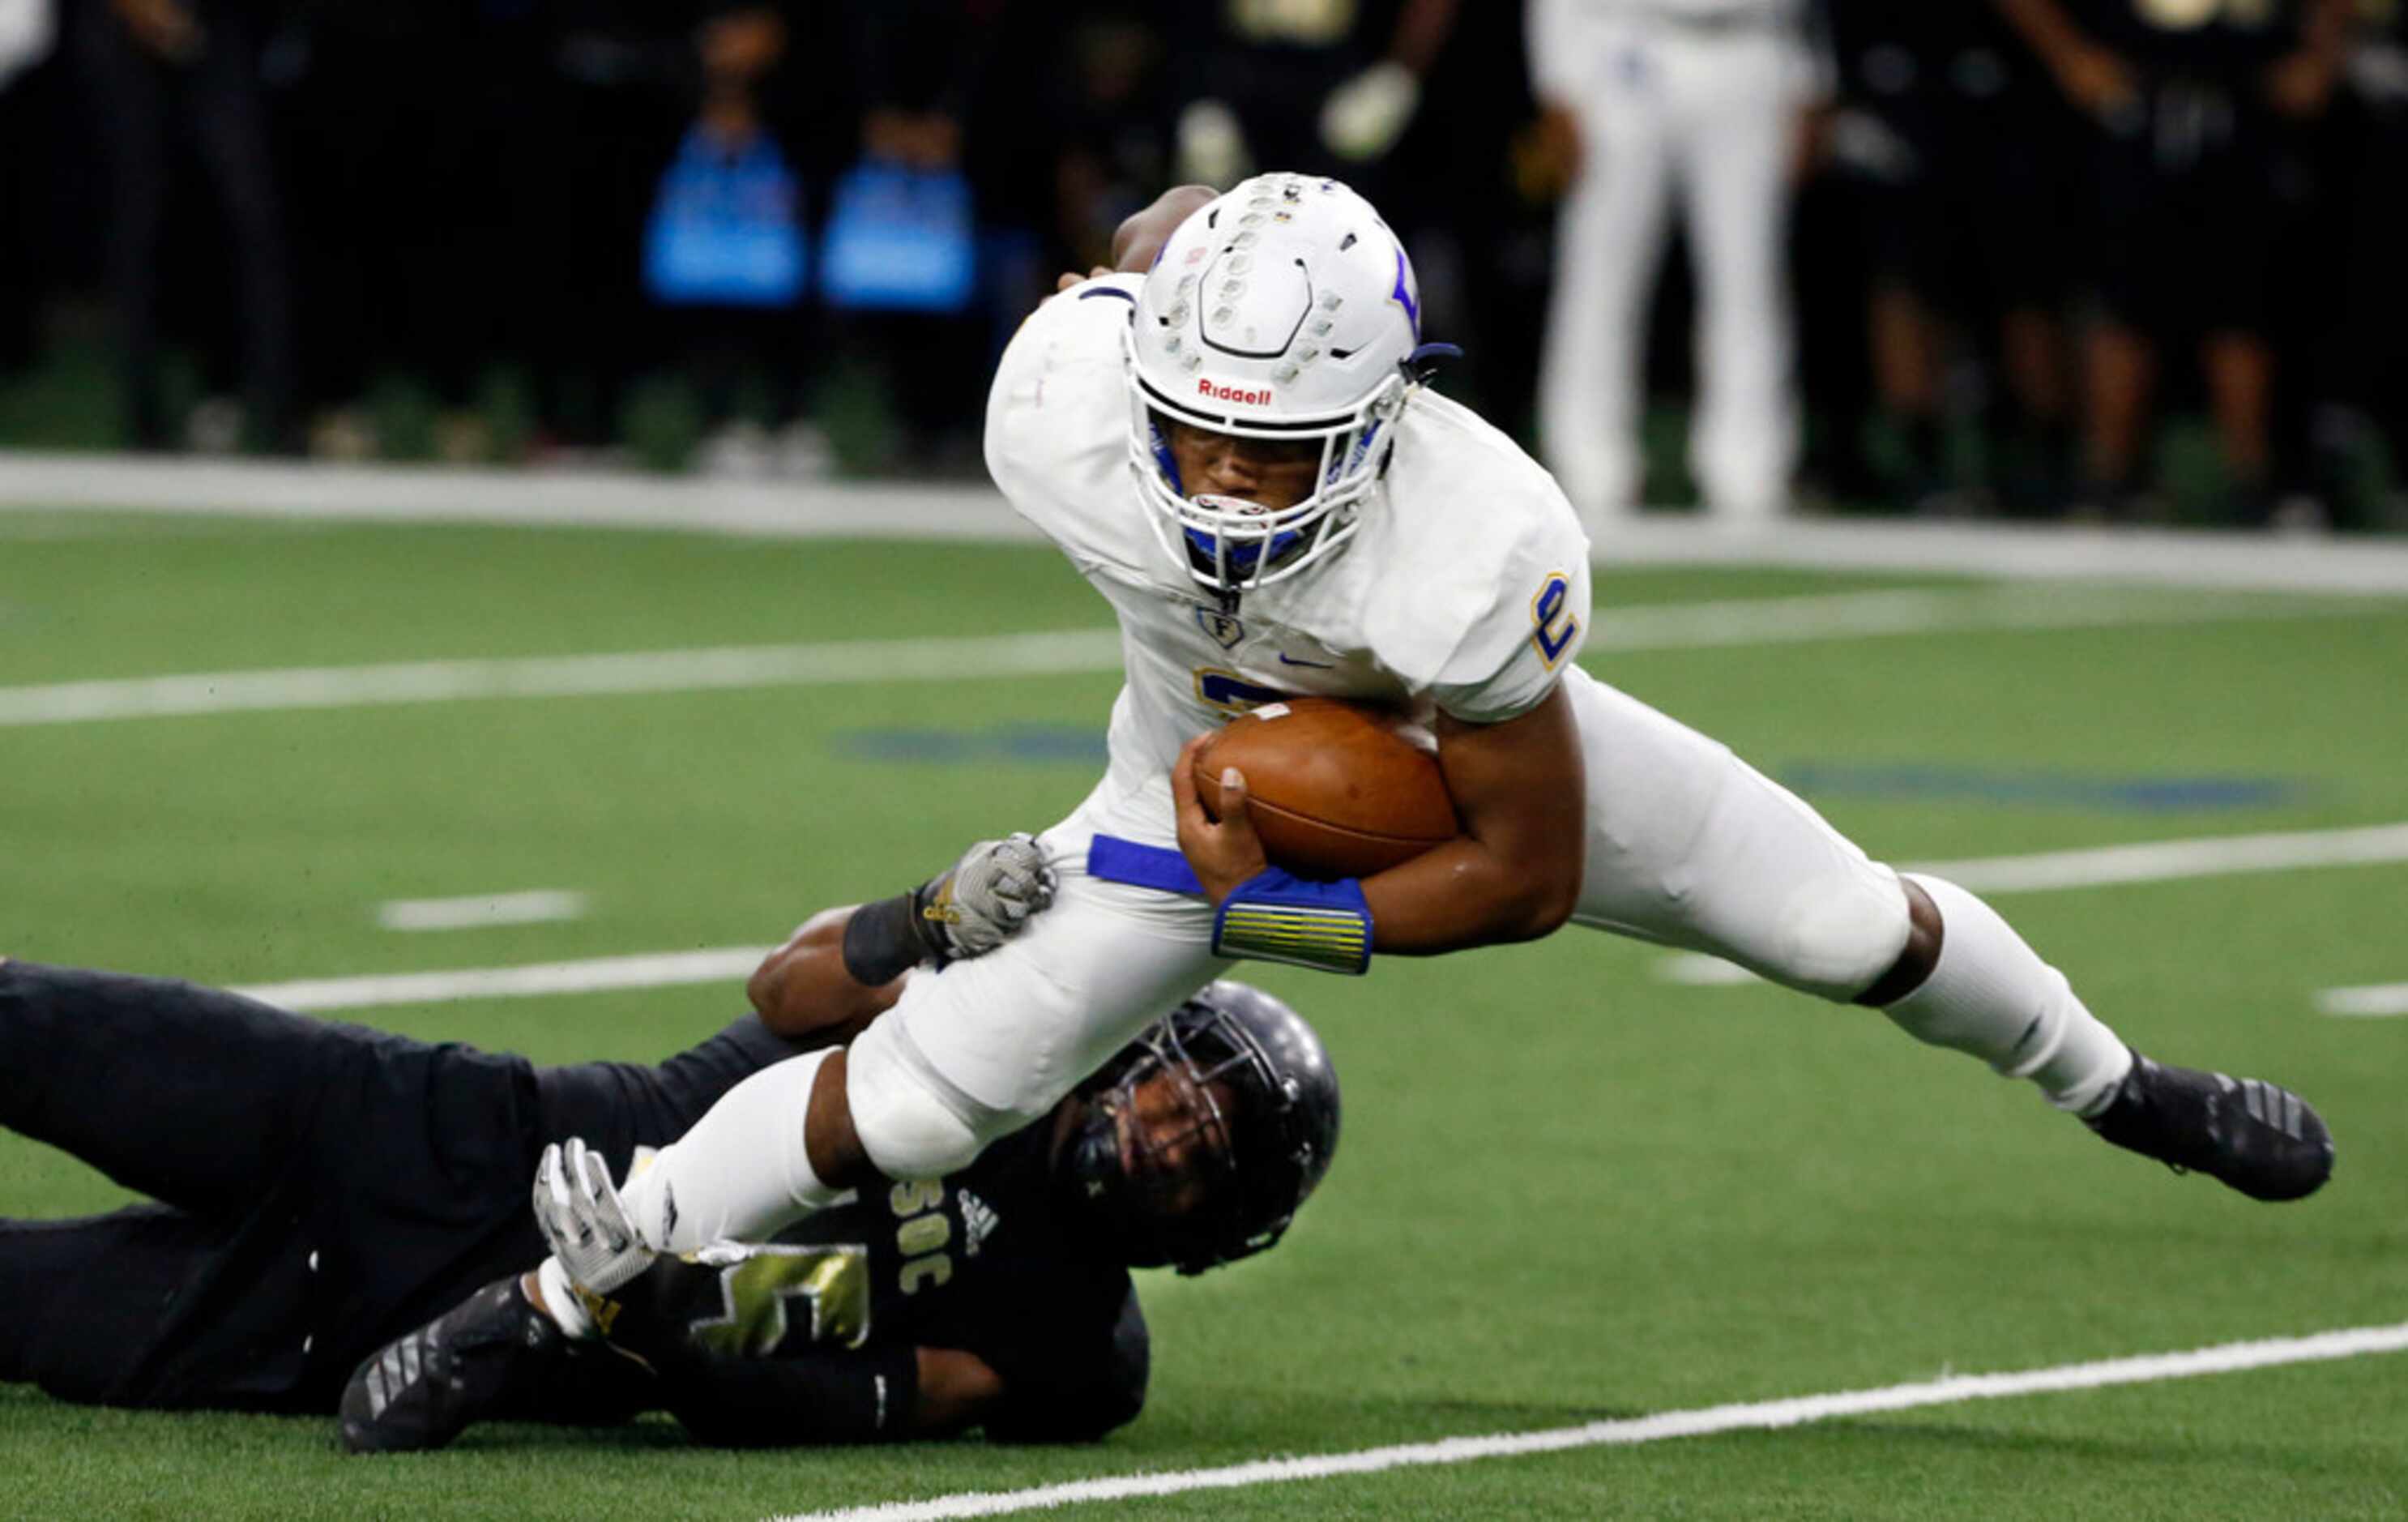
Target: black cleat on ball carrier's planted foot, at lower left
column 471, row 1364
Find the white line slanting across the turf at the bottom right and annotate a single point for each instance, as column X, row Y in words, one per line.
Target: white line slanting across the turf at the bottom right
column 2233, row 1357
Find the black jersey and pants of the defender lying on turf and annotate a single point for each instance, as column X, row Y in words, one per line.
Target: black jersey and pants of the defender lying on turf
column 326, row 1188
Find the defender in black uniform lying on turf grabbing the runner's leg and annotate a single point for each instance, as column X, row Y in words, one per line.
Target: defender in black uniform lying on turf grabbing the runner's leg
column 326, row 1188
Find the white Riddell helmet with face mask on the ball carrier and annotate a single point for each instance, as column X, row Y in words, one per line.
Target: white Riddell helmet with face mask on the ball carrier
column 1285, row 309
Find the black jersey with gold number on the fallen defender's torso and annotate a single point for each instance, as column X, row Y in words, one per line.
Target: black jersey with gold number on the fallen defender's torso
column 981, row 1261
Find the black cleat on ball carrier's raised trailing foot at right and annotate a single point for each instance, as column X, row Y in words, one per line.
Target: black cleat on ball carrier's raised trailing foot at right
column 2257, row 1138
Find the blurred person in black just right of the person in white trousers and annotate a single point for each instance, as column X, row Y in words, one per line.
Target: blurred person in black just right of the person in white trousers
column 1959, row 155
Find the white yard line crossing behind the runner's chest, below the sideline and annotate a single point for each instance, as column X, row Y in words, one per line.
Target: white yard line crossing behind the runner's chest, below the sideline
column 1066, row 651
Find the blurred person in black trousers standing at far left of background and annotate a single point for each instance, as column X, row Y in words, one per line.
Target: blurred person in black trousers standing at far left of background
column 165, row 73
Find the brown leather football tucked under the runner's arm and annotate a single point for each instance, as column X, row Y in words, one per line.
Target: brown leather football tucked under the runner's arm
column 1335, row 789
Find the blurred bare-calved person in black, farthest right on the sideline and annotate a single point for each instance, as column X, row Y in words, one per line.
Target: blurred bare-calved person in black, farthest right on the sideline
column 2200, row 112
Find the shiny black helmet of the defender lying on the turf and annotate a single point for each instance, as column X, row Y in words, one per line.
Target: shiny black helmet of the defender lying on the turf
column 1208, row 1133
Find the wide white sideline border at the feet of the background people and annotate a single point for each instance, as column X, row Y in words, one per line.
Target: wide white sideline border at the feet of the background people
column 976, row 514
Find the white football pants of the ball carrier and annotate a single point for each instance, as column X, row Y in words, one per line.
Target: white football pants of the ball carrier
column 1689, row 846
